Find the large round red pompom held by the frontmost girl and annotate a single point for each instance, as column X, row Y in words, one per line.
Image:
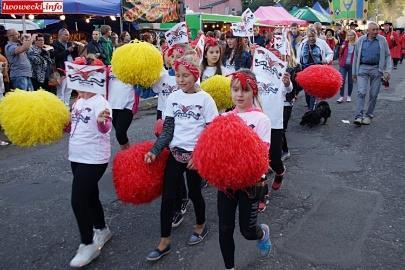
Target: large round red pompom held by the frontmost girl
column 230, row 155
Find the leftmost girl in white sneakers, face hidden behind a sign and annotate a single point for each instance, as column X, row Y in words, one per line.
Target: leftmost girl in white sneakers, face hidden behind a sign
column 89, row 153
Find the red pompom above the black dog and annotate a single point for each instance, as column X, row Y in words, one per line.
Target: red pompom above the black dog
column 321, row 81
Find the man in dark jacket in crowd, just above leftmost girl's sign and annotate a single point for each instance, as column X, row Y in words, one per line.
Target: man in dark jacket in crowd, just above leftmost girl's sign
column 64, row 50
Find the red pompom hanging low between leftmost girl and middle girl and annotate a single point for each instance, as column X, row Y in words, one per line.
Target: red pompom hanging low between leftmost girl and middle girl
column 135, row 181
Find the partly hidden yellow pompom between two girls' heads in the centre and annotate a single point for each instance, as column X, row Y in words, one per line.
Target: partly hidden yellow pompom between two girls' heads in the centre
column 219, row 87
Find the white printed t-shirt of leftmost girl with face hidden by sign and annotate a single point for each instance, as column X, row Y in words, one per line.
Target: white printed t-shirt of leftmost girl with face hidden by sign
column 87, row 144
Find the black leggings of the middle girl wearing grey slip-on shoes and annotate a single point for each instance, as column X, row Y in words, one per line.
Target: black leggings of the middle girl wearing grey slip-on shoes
column 173, row 179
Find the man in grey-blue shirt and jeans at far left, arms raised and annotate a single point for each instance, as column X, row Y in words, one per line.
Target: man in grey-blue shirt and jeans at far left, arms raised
column 20, row 66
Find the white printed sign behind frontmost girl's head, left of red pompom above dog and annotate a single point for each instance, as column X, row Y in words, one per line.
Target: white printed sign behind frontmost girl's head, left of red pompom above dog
column 268, row 69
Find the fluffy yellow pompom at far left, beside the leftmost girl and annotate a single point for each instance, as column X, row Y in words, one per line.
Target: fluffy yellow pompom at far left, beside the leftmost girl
column 31, row 118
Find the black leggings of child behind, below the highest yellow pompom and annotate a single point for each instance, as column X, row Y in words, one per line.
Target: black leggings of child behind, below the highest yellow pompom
column 122, row 119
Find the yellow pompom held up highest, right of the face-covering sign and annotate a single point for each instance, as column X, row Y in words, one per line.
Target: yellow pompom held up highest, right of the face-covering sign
column 137, row 63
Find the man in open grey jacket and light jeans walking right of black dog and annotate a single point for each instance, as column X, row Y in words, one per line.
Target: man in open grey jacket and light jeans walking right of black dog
column 372, row 60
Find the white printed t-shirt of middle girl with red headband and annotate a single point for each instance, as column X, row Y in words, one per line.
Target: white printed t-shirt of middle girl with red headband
column 191, row 113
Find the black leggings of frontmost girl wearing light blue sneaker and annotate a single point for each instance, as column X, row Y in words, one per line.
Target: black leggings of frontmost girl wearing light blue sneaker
column 227, row 204
